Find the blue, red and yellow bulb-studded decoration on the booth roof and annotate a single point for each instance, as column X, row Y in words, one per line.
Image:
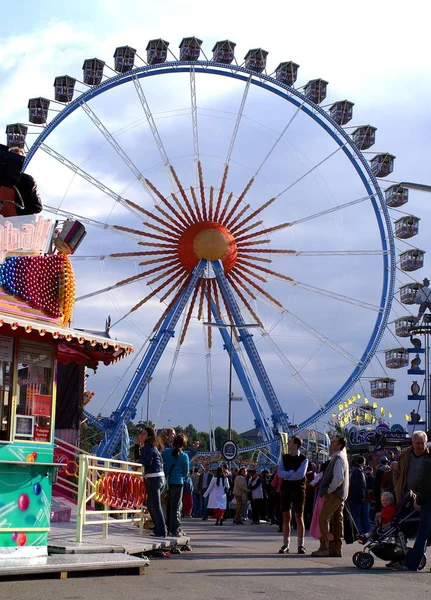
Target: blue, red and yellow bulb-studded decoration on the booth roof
column 46, row 282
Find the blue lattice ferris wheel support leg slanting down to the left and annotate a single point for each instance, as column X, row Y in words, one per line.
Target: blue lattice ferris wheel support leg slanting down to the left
column 127, row 408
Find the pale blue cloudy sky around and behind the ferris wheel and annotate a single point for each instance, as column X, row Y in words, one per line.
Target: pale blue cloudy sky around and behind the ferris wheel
column 374, row 56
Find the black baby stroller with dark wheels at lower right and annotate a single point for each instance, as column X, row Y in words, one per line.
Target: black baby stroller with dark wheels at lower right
column 390, row 543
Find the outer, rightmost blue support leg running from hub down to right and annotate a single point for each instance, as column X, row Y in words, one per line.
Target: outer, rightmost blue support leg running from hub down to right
column 279, row 418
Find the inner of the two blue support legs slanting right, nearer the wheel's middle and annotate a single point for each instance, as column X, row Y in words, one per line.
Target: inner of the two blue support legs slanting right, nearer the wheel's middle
column 260, row 420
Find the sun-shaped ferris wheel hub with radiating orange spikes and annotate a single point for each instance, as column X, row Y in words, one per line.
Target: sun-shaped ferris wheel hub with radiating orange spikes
column 217, row 228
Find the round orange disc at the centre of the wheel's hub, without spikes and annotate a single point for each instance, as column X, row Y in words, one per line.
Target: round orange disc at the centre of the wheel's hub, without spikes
column 208, row 240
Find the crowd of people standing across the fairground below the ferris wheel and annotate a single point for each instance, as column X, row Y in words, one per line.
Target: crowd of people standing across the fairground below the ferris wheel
column 335, row 501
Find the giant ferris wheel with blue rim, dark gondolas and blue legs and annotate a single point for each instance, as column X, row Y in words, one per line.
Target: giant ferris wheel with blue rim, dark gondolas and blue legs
column 221, row 192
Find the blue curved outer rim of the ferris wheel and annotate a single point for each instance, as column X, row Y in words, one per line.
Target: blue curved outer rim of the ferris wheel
column 337, row 133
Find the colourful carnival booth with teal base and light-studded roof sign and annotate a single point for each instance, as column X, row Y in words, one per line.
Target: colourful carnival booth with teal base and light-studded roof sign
column 37, row 290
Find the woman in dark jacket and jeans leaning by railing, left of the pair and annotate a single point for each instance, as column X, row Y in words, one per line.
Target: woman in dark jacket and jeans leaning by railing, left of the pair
column 151, row 459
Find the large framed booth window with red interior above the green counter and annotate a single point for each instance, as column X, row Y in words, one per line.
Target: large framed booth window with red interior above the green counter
column 34, row 392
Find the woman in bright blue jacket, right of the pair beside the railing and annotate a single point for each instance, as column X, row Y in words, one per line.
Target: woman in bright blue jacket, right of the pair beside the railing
column 176, row 465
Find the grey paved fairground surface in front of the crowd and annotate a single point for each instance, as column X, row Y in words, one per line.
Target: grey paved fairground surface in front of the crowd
column 236, row 563
